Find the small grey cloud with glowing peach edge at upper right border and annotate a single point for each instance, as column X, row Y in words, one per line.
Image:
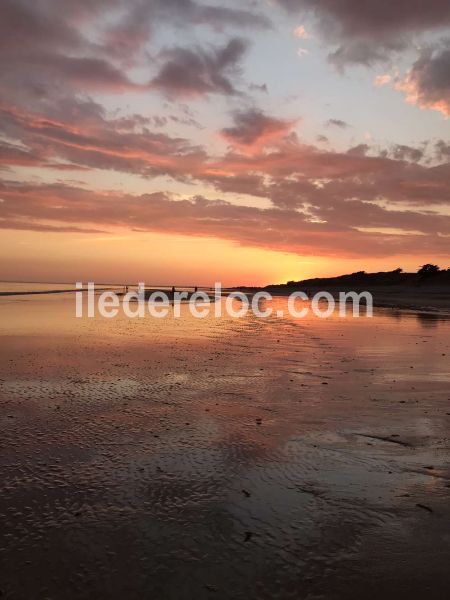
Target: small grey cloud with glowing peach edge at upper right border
column 427, row 84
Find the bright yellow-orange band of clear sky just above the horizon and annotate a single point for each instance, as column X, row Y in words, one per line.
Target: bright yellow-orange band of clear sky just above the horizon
column 165, row 259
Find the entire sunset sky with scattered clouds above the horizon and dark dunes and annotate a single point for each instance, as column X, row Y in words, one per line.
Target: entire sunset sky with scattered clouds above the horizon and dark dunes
column 248, row 142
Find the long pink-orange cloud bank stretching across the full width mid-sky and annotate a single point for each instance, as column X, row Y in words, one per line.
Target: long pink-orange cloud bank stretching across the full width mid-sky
column 266, row 159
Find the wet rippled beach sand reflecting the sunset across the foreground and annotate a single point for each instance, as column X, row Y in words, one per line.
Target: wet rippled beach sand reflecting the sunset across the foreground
column 223, row 458
